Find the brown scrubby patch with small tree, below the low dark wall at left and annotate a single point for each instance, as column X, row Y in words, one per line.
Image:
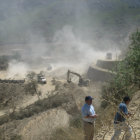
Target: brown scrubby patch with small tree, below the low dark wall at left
column 11, row 92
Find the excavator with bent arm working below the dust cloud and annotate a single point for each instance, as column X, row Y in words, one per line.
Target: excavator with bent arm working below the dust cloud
column 82, row 81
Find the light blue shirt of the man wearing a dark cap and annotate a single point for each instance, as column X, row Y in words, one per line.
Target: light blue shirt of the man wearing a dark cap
column 88, row 110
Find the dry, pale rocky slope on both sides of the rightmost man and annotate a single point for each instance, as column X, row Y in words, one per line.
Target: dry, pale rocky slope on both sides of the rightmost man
column 134, row 107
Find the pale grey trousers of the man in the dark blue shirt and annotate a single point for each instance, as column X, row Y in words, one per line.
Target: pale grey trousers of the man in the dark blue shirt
column 118, row 129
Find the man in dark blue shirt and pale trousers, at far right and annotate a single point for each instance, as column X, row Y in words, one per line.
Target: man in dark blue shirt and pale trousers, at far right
column 120, row 120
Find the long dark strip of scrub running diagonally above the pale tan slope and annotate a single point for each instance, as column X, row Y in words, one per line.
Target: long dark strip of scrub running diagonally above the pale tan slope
column 41, row 106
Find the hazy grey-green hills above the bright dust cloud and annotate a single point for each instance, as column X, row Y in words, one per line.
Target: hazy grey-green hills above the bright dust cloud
column 24, row 20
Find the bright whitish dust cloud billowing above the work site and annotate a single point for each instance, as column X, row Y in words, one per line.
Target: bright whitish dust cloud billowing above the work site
column 67, row 50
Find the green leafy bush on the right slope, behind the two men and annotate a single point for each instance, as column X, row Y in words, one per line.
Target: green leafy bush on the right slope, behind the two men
column 127, row 80
